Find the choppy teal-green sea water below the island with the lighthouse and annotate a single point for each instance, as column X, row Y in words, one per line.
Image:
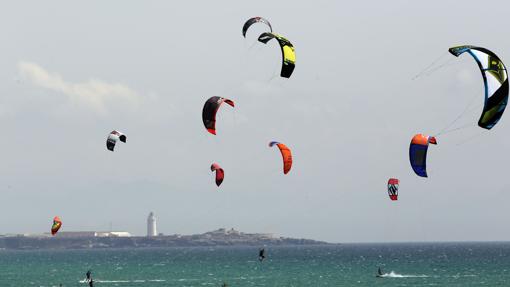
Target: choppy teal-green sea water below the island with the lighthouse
column 438, row 264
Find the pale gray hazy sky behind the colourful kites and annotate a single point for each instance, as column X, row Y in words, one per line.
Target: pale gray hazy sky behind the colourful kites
column 71, row 72
